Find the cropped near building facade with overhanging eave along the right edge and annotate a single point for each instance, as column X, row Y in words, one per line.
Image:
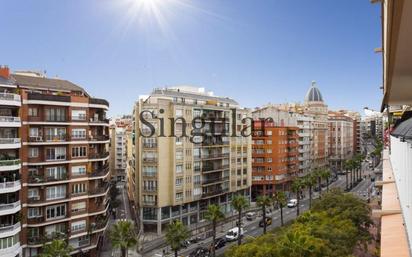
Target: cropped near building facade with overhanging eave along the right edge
column 396, row 212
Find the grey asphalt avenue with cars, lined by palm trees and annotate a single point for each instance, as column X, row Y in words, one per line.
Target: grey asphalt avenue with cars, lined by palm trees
column 252, row 228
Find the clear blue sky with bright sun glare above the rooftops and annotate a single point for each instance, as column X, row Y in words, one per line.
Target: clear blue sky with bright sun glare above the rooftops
column 256, row 52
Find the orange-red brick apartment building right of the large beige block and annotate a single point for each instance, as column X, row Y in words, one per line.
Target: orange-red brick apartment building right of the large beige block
column 274, row 157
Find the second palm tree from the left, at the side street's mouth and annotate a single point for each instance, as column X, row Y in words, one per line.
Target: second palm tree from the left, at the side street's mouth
column 123, row 236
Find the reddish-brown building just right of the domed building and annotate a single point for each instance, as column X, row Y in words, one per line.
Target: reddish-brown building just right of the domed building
column 341, row 139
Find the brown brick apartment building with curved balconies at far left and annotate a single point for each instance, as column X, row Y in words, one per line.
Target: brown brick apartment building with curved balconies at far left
column 63, row 148
